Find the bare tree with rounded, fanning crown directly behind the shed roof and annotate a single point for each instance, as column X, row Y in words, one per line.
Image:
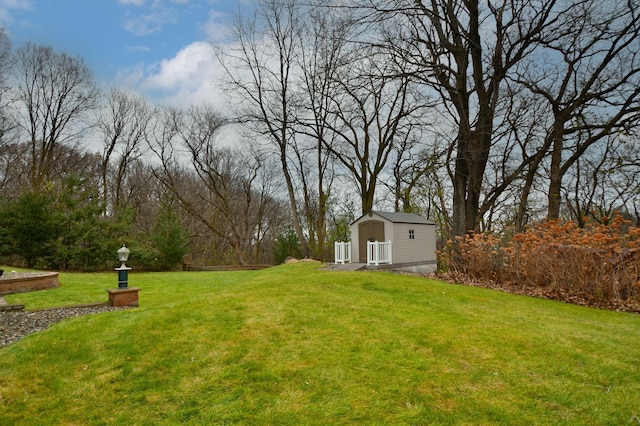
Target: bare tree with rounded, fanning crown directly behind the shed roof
column 374, row 111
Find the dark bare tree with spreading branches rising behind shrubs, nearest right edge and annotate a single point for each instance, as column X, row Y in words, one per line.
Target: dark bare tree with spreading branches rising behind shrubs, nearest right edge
column 587, row 69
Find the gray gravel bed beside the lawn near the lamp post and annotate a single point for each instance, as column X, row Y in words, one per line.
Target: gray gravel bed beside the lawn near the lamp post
column 14, row 325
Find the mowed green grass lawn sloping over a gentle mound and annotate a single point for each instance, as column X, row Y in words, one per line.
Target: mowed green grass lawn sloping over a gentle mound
column 296, row 345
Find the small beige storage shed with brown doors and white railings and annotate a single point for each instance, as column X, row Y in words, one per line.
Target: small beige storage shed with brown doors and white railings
column 397, row 240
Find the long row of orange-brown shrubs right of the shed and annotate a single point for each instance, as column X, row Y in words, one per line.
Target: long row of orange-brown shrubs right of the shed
column 600, row 261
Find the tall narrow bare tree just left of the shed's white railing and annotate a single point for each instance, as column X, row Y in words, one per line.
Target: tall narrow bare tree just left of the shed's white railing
column 320, row 55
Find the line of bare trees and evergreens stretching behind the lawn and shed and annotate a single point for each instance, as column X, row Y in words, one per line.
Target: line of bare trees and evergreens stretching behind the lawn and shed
column 482, row 115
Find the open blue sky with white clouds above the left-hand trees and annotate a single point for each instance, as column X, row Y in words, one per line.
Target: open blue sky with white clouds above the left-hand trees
column 159, row 48
